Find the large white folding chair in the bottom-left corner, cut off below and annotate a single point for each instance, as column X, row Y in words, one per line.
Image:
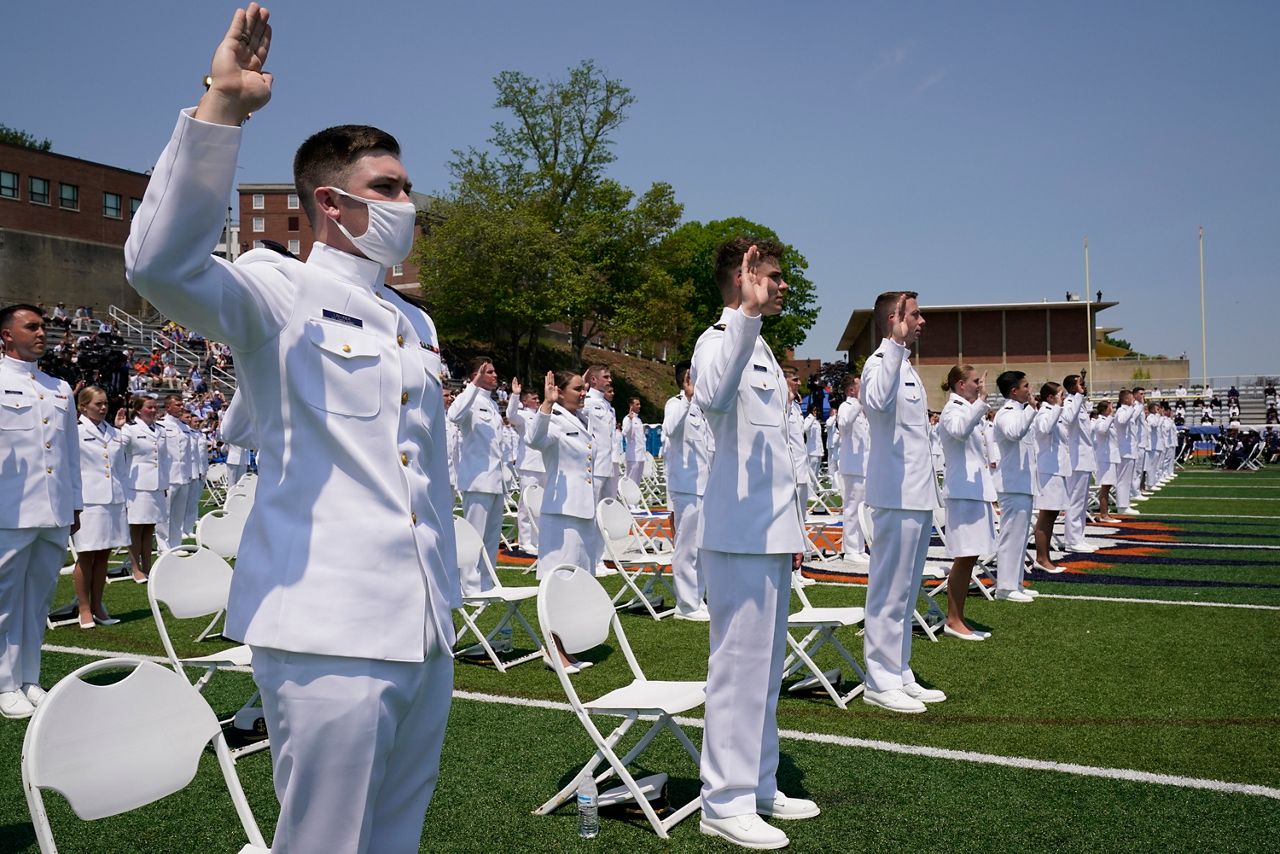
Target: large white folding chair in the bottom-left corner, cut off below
column 109, row 750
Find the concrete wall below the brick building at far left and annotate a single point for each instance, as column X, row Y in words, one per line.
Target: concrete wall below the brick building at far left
column 42, row 270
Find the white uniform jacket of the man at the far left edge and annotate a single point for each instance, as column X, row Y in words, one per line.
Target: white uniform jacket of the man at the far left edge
column 40, row 476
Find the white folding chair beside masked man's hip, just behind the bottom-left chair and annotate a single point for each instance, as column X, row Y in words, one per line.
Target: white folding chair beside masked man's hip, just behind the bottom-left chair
column 195, row 583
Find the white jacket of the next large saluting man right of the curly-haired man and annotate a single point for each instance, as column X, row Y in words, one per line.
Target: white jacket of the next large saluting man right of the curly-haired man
column 900, row 471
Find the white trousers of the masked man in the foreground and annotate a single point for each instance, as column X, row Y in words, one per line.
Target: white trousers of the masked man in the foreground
column 355, row 748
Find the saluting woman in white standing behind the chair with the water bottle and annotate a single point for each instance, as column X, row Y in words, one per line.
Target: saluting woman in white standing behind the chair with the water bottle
column 566, row 527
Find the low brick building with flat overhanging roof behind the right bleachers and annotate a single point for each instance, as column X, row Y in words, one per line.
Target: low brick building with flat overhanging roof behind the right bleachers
column 1044, row 340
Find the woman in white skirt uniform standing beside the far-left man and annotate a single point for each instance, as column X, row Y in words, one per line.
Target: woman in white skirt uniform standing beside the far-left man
column 103, row 522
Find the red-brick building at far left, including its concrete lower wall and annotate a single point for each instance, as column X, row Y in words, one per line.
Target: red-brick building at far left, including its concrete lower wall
column 63, row 225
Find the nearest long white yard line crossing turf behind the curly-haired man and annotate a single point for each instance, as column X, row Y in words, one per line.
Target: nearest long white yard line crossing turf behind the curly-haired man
column 845, row 742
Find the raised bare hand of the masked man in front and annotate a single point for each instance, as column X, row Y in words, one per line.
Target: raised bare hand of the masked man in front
column 240, row 86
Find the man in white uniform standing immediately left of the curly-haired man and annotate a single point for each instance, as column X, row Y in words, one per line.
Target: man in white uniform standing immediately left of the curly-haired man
column 689, row 447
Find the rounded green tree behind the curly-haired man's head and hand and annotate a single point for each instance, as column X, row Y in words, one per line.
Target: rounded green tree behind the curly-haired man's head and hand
column 691, row 254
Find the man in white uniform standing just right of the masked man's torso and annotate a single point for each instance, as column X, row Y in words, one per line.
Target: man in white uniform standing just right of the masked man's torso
column 481, row 467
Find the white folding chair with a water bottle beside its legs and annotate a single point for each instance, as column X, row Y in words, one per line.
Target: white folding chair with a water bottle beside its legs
column 574, row 609
